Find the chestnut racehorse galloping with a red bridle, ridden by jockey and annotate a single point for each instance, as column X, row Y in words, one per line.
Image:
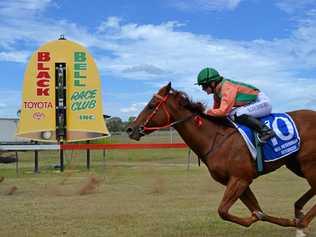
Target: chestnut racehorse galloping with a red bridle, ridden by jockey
column 223, row 151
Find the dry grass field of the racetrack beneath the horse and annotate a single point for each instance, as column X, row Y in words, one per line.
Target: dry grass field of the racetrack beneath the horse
column 133, row 193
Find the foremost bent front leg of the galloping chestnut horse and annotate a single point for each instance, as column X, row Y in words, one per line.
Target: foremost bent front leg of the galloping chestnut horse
column 234, row 190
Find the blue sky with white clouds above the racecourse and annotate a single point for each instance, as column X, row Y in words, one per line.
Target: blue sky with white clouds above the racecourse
column 139, row 46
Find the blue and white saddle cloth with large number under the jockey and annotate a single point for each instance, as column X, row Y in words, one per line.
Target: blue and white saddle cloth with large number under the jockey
column 286, row 141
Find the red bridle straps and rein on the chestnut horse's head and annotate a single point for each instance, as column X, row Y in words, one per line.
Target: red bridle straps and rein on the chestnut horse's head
column 168, row 124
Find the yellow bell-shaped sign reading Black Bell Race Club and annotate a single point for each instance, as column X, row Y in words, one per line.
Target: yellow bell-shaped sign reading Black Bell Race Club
column 83, row 104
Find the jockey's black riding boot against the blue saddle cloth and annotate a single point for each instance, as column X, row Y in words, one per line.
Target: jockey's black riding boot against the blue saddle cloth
column 264, row 132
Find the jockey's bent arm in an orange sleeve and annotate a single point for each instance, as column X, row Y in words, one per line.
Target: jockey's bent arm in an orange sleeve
column 227, row 102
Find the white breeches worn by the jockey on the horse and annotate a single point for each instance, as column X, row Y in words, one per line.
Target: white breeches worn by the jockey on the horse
column 259, row 108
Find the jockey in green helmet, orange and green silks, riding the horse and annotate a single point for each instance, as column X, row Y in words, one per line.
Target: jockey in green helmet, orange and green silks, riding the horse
column 243, row 103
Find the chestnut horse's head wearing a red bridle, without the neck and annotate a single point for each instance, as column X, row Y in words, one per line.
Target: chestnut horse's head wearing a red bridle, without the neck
column 154, row 116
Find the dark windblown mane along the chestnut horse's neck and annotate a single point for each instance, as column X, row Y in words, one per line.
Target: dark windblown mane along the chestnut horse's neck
column 199, row 109
